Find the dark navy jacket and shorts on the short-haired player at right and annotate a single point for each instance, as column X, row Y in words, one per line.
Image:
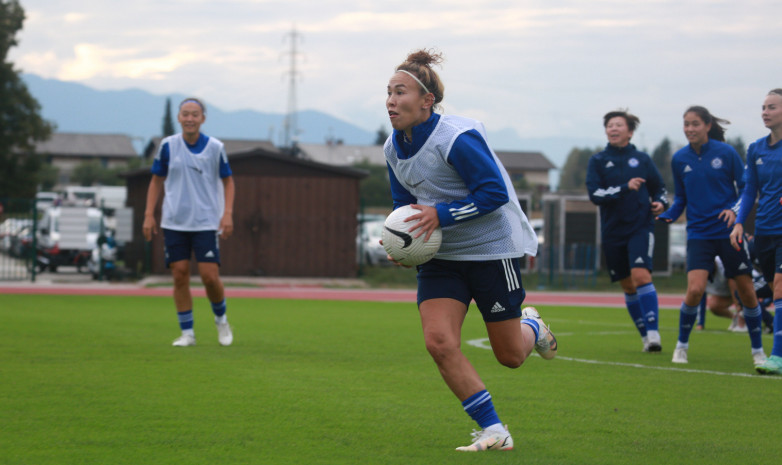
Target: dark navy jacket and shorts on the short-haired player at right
column 626, row 219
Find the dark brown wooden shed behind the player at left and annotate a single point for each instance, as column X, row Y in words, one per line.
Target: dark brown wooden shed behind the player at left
column 292, row 217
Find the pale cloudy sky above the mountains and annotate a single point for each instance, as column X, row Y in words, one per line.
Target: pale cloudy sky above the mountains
column 540, row 67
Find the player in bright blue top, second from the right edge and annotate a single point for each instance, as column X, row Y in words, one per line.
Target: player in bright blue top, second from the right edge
column 707, row 173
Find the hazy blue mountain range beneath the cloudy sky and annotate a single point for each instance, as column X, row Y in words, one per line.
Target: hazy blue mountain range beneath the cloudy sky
column 139, row 114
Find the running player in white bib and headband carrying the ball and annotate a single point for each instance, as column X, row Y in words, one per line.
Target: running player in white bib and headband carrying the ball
column 443, row 166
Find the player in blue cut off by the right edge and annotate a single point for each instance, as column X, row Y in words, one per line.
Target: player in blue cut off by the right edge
column 763, row 176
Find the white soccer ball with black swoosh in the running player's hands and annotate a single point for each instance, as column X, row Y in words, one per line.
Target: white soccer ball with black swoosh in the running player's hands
column 401, row 245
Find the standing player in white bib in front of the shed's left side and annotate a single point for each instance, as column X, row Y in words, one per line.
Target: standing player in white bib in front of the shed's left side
column 193, row 170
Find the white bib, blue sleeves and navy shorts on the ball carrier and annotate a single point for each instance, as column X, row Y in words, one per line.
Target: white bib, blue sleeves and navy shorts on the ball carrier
column 450, row 167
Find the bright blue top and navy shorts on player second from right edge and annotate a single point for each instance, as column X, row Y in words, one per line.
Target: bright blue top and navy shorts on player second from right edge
column 706, row 184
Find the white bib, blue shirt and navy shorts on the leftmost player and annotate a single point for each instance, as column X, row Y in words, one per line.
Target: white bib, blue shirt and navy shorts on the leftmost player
column 194, row 199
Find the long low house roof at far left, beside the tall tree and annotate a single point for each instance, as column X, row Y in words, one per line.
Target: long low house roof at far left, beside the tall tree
column 80, row 145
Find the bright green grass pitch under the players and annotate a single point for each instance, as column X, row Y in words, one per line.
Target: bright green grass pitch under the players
column 94, row 380
